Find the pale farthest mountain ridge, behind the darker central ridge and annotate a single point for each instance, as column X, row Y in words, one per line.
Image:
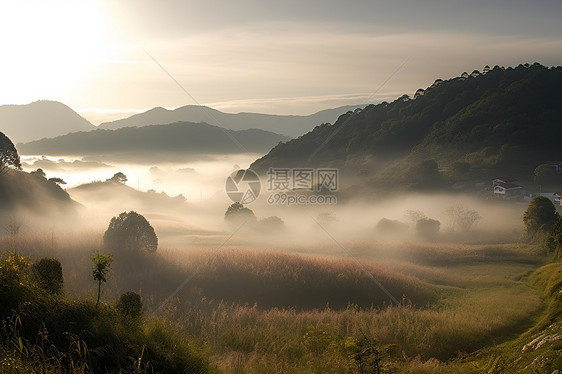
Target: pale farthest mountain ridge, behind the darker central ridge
column 290, row 125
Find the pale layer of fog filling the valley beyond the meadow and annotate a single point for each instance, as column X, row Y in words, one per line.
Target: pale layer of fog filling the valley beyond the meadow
column 186, row 203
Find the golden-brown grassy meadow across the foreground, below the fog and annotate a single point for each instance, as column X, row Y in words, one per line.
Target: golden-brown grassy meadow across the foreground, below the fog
column 313, row 309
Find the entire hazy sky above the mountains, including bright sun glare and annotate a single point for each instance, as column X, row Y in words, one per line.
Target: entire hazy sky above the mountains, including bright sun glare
column 110, row 59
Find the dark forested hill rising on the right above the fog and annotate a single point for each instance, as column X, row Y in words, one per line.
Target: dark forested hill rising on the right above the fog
column 502, row 121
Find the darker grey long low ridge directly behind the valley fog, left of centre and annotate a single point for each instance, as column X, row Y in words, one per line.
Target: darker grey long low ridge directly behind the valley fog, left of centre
column 180, row 137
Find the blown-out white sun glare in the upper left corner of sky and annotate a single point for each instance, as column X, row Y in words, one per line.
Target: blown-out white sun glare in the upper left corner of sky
column 48, row 47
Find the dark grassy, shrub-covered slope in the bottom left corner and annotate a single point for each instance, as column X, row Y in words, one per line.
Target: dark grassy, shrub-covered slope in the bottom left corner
column 43, row 332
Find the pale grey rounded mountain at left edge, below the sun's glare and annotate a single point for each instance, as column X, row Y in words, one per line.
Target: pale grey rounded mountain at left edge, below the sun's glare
column 40, row 119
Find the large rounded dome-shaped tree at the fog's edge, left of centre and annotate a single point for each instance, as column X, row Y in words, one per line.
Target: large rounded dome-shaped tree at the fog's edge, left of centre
column 130, row 232
